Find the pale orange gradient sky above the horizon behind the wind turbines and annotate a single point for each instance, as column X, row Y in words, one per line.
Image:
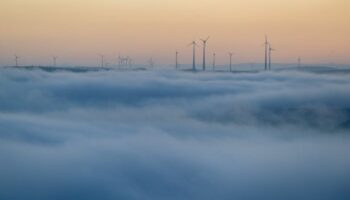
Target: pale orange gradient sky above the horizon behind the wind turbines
column 78, row 30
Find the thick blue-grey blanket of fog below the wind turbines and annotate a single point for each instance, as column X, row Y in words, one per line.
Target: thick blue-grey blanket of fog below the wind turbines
column 174, row 135
